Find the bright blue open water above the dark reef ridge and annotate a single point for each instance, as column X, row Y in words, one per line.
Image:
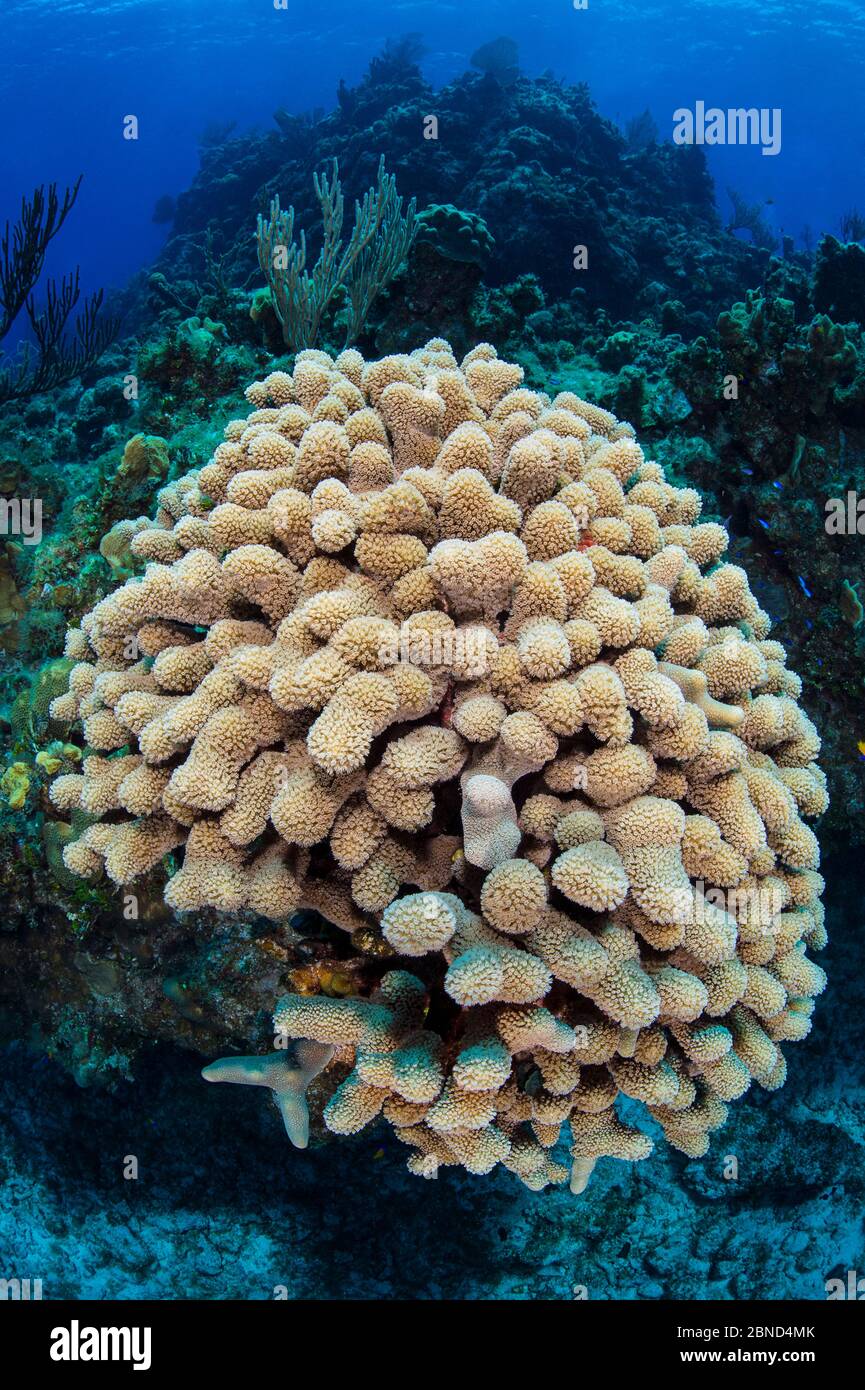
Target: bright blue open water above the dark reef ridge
column 76, row 69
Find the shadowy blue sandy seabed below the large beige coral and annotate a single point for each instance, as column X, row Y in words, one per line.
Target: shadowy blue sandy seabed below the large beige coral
column 225, row 1209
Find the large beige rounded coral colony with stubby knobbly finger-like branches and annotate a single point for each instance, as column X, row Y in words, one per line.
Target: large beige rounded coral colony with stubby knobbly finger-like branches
column 455, row 665
